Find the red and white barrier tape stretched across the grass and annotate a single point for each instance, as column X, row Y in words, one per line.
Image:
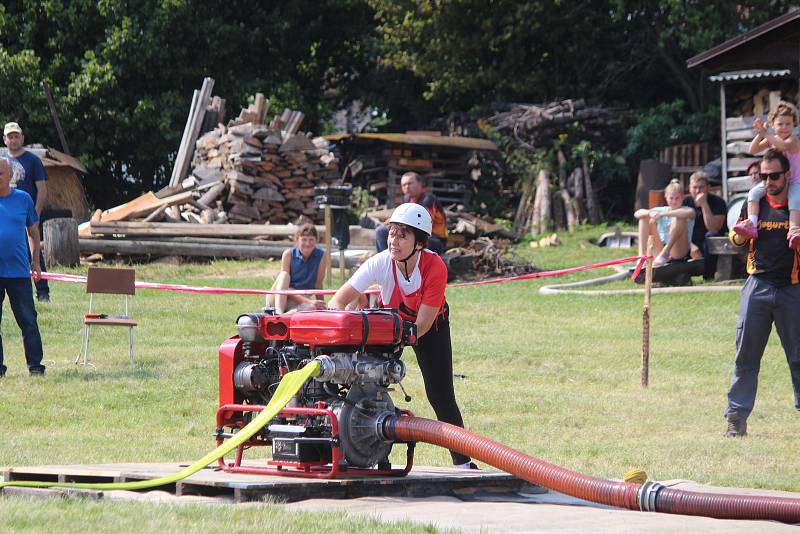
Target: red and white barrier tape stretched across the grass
column 78, row 279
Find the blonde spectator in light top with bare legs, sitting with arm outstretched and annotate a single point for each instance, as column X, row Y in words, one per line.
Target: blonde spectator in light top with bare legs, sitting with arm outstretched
column 672, row 225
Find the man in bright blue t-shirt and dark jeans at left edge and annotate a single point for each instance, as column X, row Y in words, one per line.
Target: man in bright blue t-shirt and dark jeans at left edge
column 18, row 217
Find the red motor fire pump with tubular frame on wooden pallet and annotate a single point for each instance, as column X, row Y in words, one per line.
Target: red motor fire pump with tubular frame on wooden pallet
column 333, row 425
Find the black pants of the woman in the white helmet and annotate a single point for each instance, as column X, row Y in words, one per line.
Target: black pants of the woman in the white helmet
column 435, row 358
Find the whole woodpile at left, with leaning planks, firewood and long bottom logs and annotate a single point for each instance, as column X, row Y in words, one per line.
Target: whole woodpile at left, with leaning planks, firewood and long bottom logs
column 248, row 172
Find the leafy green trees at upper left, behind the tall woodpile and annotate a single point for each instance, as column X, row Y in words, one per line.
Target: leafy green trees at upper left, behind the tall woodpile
column 123, row 72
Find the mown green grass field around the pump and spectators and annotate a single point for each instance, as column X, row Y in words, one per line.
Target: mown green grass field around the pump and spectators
column 554, row 376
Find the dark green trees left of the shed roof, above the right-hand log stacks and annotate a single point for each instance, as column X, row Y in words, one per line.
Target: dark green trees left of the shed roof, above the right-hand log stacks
column 469, row 52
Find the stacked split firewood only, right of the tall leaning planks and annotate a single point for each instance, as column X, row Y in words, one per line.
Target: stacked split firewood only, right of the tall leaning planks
column 265, row 177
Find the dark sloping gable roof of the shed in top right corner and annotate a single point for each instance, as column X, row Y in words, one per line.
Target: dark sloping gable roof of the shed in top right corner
column 760, row 47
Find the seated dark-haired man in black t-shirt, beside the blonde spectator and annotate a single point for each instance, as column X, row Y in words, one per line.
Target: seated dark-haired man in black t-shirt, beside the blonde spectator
column 709, row 221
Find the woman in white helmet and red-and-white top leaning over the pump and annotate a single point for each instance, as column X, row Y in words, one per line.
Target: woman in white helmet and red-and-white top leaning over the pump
column 412, row 280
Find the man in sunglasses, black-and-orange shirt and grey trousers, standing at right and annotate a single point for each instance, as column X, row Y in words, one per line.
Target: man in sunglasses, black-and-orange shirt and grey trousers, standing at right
column 771, row 294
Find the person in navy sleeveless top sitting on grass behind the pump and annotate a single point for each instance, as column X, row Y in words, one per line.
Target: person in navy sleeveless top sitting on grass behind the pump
column 302, row 267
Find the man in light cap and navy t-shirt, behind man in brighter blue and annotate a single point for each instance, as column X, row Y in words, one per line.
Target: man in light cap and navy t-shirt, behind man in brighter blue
column 28, row 175
